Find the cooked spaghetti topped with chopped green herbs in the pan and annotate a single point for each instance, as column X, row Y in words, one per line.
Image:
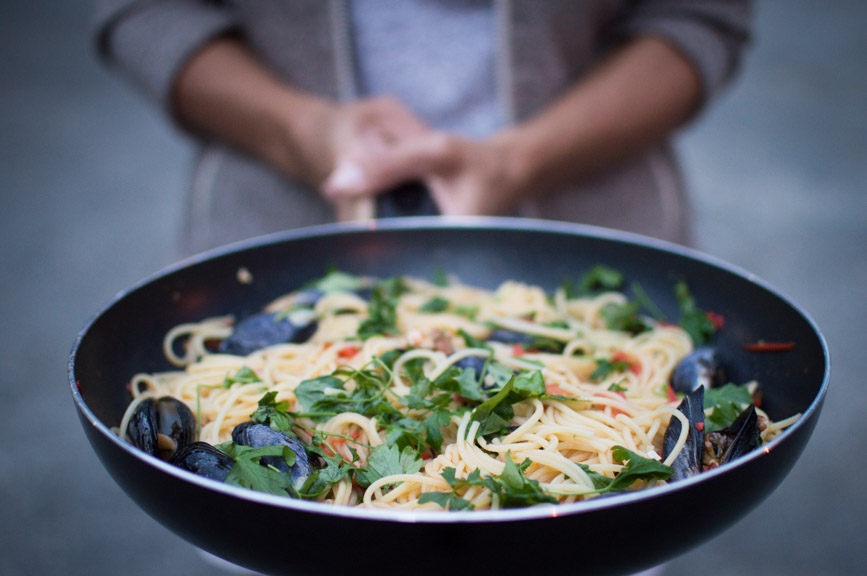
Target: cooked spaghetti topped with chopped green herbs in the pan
column 421, row 395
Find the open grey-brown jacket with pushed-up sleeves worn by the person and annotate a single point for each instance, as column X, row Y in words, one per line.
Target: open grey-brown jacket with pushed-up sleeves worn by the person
column 542, row 48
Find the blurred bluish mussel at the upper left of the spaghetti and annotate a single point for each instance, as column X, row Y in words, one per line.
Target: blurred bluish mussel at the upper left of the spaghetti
column 267, row 329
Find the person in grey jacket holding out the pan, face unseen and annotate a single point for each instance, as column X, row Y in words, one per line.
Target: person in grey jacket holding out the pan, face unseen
column 310, row 111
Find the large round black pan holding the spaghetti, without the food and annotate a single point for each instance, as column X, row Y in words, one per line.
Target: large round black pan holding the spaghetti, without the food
column 618, row 534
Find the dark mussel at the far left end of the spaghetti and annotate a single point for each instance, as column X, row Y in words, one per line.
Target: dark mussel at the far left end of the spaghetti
column 161, row 427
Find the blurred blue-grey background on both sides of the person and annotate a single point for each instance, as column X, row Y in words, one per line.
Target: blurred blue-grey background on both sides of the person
column 92, row 181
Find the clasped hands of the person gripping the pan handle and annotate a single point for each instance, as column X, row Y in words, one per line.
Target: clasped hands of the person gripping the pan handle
column 379, row 144
